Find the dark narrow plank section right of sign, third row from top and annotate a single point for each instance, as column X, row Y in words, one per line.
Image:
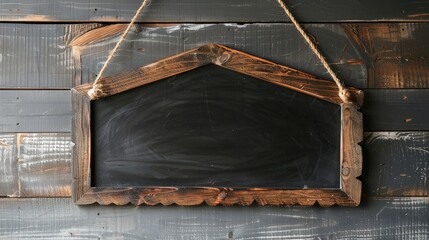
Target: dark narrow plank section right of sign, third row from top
column 396, row 110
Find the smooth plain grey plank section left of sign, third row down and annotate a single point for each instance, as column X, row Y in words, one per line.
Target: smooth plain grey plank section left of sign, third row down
column 35, row 111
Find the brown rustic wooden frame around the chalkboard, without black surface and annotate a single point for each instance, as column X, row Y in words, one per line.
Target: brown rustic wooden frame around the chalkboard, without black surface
column 351, row 135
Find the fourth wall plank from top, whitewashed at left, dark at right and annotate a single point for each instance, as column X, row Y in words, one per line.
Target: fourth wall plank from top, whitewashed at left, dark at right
column 394, row 164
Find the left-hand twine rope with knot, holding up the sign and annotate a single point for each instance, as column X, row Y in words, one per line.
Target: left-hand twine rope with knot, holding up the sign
column 96, row 90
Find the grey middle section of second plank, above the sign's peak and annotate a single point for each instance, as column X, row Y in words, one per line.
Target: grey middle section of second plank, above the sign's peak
column 280, row 43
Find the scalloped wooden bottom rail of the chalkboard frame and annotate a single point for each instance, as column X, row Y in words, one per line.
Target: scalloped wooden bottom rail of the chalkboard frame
column 214, row 196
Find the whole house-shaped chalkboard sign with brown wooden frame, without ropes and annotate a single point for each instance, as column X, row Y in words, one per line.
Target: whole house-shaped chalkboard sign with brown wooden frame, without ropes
column 222, row 128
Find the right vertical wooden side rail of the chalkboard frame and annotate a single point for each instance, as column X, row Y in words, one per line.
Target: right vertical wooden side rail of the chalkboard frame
column 351, row 155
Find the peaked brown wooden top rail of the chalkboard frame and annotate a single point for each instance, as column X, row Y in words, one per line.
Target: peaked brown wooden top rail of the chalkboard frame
column 227, row 58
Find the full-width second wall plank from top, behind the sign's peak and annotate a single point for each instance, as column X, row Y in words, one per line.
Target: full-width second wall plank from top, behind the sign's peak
column 42, row 56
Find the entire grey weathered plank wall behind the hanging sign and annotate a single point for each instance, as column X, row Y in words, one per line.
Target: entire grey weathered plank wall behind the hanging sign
column 49, row 46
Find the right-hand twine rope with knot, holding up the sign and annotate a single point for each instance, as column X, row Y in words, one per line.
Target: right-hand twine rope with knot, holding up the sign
column 342, row 91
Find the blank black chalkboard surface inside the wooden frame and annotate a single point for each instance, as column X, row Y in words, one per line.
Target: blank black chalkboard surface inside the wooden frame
column 212, row 127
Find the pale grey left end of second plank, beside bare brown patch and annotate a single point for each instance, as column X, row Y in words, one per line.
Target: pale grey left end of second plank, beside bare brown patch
column 34, row 56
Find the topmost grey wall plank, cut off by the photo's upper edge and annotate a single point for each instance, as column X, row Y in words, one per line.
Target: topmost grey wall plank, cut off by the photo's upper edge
column 209, row 11
